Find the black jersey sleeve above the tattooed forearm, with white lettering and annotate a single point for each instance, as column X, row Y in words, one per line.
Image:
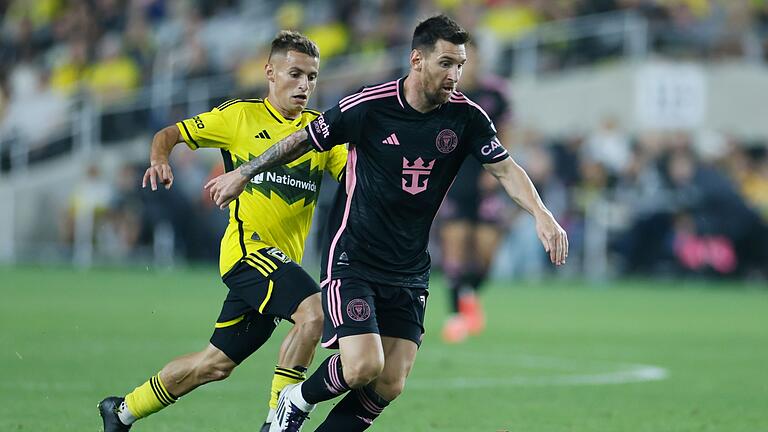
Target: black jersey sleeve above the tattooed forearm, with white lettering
column 335, row 126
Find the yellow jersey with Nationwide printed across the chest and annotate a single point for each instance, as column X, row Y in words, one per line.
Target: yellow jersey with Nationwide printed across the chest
column 276, row 208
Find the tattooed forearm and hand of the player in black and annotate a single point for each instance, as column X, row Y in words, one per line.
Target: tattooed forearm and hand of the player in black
column 227, row 187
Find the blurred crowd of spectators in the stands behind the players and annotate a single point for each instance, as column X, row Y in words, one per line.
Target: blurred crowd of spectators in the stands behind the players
column 680, row 202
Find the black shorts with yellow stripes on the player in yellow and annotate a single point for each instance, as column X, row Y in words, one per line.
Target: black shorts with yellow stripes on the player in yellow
column 264, row 288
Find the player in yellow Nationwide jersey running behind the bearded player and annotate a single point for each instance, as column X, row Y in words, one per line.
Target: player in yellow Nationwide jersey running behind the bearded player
column 263, row 243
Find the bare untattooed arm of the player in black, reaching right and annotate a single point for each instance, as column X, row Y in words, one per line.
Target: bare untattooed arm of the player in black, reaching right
column 520, row 188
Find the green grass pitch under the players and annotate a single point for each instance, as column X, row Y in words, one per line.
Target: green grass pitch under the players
column 557, row 356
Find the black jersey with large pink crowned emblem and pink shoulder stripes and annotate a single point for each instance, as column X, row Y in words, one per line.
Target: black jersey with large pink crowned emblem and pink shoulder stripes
column 401, row 163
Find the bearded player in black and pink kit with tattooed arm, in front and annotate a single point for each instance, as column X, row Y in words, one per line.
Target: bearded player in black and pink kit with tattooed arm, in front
column 407, row 140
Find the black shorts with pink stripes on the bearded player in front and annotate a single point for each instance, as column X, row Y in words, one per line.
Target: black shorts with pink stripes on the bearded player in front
column 354, row 306
